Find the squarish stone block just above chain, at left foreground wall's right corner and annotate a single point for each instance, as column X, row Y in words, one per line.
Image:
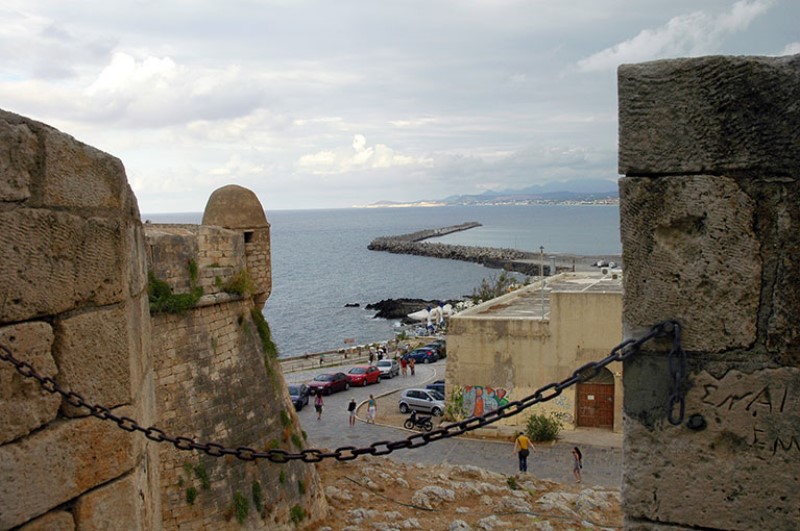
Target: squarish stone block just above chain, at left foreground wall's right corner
column 96, row 352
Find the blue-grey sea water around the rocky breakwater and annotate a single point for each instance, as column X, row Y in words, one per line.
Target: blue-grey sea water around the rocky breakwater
column 320, row 261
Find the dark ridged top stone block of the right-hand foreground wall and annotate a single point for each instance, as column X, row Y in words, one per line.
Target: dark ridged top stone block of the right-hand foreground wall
column 710, row 114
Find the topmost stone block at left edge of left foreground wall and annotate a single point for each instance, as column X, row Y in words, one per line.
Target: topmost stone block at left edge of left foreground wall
column 18, row 147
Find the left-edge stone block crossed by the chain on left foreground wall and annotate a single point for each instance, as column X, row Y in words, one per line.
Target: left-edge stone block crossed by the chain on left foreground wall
column 24, row 405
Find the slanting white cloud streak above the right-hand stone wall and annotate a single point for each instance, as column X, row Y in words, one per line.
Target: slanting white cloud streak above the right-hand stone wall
column 686, row 35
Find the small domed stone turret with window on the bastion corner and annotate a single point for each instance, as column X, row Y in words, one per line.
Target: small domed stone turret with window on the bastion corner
column 236, row 208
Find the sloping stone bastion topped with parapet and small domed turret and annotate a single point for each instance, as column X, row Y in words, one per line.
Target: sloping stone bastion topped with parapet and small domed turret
column 215, row 381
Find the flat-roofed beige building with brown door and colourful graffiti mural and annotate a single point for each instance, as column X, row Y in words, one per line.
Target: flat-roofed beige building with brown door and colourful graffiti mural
column 507, row 348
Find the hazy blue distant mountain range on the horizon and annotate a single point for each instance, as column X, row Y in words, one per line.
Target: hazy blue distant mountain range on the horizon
column 594, row 191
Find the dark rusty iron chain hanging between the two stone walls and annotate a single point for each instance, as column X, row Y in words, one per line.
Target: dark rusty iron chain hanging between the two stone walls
column 346, row 453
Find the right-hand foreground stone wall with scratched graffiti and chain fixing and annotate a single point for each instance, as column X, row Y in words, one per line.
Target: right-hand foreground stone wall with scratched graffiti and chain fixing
column 710, row 216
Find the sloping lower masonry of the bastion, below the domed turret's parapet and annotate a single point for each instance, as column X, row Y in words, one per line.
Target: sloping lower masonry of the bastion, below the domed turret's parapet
column 214, row 386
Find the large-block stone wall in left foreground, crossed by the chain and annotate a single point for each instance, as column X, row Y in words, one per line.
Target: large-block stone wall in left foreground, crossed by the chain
column 74, row 305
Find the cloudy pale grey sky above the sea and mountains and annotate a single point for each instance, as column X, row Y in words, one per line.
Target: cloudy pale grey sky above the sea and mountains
column 332, row 103
